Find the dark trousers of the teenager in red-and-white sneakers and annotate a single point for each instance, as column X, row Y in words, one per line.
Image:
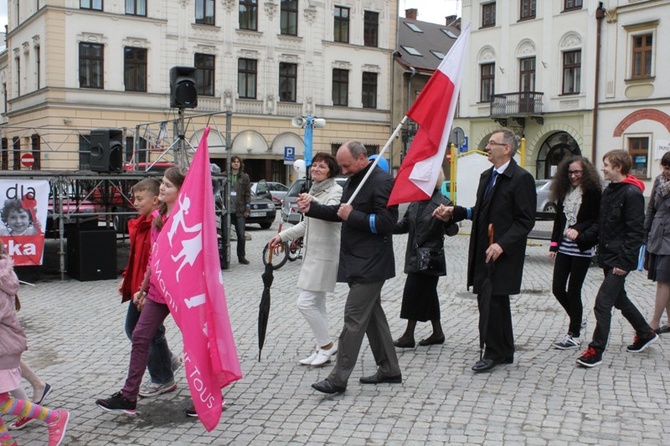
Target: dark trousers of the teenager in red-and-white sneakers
column 612, row 293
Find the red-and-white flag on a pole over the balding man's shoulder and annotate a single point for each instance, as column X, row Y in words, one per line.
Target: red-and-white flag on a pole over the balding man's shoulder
column 434, row 112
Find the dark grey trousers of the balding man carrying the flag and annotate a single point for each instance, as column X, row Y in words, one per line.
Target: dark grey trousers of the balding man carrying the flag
column 363, row 315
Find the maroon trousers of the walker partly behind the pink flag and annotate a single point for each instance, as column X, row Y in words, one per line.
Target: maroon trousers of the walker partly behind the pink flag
column 151, row 317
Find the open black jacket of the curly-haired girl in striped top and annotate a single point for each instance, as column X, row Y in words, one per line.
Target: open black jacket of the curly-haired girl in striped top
column 587, row 216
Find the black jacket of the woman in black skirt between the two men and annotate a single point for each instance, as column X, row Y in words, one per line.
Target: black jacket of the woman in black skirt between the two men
column 425, row 231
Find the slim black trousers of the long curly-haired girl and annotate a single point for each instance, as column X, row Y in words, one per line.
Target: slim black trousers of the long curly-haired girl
column 569, row 275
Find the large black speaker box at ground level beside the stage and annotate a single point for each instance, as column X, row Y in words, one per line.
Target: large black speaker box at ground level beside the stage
column 91, row 254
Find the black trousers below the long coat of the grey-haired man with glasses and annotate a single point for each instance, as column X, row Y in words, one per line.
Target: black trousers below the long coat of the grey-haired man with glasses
column 499, row 333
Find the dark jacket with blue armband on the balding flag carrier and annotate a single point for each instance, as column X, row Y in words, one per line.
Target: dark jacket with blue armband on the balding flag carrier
column 366, row 245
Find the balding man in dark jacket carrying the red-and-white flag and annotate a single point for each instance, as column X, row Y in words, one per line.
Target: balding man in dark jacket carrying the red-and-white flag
column 366, row 261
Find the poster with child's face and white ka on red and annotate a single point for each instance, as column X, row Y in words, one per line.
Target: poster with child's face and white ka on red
column 23, row 217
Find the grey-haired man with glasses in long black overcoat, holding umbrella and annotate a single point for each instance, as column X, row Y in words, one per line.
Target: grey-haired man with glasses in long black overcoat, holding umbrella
column 506, row 198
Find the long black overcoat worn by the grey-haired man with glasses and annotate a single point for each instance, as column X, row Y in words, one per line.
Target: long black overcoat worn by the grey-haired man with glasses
column 511, row 208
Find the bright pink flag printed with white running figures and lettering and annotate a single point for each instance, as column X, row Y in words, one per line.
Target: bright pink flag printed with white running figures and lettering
column 186, row 266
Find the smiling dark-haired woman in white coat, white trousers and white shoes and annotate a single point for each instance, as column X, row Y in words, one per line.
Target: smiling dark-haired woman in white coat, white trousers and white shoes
column 320, row 259
